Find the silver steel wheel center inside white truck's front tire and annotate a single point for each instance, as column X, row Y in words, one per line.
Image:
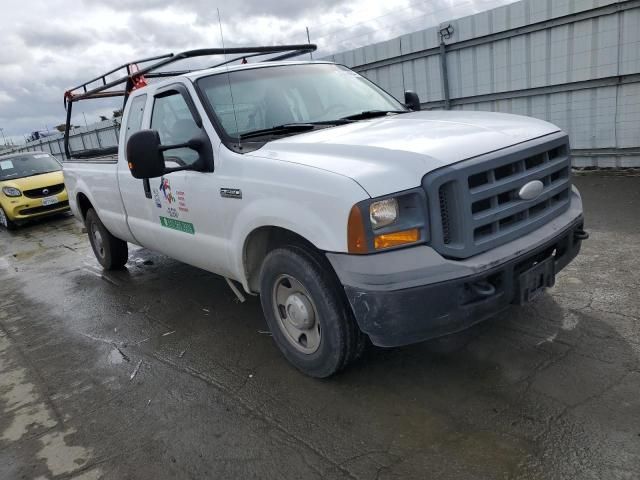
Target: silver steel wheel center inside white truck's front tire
column 297, row 315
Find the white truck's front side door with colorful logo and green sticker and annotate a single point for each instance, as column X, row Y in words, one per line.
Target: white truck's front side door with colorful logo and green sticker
column 178, row 214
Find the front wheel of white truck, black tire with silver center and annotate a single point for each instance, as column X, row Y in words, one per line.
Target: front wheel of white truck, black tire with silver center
column 307, row 313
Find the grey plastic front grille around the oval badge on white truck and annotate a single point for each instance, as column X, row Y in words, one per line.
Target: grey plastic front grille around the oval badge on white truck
column 475, row 204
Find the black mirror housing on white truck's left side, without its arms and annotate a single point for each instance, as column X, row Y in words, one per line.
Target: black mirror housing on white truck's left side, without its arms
column 144, row 154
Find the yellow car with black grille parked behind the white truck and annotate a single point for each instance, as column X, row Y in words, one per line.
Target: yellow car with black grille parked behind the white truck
column 31, row 186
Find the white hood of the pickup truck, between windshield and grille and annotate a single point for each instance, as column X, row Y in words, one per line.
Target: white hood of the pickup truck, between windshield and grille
column 393, row 153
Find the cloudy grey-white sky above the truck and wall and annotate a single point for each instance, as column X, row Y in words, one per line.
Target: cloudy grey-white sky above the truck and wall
column 51, row 45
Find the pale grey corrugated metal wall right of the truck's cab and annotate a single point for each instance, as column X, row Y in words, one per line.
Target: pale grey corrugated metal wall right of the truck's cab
column 575, row 63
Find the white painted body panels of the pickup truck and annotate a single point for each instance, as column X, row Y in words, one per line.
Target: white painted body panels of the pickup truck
column 306, row 183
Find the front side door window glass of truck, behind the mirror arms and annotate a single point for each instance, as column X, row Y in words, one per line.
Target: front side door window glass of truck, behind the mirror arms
column 172, row 119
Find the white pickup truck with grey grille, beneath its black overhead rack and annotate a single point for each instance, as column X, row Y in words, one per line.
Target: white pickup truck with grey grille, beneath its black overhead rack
column 352, row 215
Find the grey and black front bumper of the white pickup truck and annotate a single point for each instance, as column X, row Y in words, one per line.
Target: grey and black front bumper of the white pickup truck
column 411, row 295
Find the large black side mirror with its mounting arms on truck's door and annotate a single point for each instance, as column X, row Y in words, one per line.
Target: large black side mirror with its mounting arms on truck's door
column 146, row 158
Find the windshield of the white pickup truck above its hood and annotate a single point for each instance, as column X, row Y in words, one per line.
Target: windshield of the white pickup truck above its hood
column 271, row 96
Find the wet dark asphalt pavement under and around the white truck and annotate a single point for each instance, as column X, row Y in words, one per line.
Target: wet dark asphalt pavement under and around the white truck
column 158, row 372
